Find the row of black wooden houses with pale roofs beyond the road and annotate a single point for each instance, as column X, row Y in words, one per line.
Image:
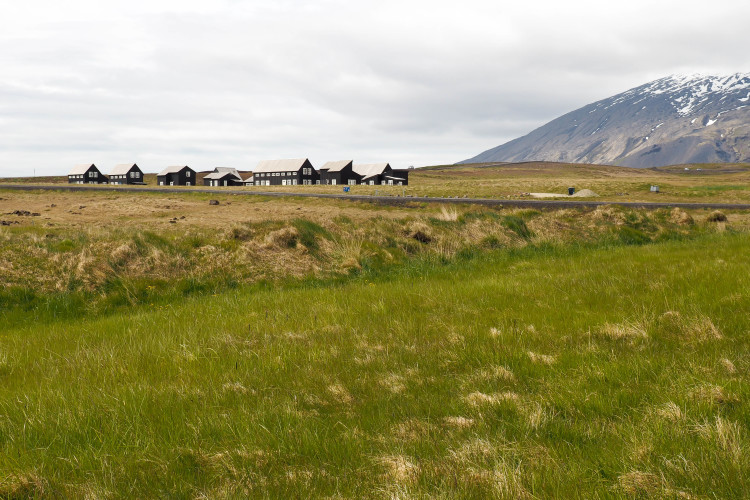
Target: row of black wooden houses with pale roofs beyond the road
column 267, row 173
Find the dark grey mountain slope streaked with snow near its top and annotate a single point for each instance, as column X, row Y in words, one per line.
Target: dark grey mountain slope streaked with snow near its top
column 673, row 120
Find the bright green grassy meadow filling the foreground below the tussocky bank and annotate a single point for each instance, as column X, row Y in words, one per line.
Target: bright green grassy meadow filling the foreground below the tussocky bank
column 535, row 372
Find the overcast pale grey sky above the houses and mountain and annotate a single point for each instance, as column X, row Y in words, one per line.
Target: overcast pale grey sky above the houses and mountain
column 232, row 82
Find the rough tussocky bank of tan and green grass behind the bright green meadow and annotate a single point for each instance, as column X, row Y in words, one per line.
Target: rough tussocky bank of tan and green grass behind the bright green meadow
column 62, row 270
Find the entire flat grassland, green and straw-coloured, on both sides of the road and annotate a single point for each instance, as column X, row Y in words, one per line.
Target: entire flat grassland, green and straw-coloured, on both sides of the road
column 153, row 345
